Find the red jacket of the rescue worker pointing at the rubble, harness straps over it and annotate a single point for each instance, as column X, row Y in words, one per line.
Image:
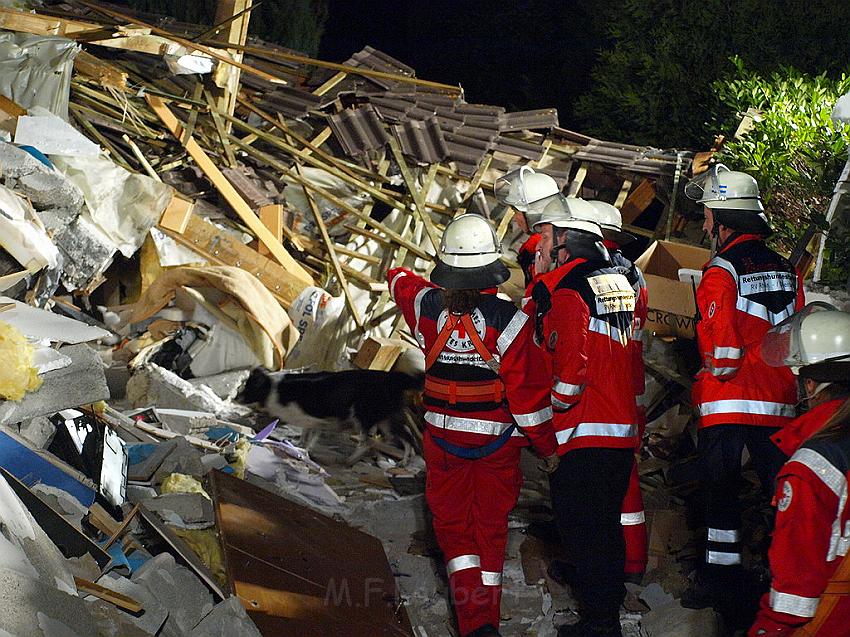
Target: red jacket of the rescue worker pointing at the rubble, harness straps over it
column 507, row 333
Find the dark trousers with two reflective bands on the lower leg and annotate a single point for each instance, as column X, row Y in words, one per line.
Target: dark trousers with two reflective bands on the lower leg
column 720, row 448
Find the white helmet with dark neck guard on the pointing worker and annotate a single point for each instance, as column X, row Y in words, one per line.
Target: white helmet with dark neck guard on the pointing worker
column 469, row 255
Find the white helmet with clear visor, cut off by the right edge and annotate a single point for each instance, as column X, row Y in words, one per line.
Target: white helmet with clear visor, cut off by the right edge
column 814, row 342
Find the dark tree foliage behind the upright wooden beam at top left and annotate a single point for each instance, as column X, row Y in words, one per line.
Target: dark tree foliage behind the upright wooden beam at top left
column 296, row 24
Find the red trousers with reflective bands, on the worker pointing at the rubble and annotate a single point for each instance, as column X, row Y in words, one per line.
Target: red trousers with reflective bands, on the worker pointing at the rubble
column 470, row 501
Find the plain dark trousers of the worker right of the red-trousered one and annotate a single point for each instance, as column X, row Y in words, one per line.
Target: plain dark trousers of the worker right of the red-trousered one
column 588, row 488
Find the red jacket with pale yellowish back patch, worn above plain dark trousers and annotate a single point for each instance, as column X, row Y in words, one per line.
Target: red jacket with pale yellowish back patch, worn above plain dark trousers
column 584, row 312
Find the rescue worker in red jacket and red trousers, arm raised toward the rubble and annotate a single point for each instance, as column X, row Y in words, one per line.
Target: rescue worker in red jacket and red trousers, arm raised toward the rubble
column 486, row 394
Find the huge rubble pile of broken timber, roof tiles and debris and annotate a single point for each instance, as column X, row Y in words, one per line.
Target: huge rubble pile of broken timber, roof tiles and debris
column 180, row 206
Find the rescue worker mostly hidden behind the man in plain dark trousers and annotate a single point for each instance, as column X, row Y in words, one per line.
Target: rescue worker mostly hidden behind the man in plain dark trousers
column 632, row 517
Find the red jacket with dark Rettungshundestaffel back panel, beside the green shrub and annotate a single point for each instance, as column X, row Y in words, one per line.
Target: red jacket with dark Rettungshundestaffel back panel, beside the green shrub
column 745, row 290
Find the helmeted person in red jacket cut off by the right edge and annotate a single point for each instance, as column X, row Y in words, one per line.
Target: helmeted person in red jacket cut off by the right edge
column 812, row 531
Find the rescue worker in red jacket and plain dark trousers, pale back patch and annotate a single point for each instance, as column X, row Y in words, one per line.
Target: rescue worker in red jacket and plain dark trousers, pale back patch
column 584, row 311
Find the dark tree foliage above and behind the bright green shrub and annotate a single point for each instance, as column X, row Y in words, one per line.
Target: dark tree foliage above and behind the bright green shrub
column 652, row 81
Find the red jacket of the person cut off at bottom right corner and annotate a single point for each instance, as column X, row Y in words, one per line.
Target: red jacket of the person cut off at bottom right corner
column 811, row 537
